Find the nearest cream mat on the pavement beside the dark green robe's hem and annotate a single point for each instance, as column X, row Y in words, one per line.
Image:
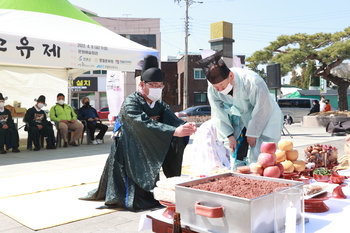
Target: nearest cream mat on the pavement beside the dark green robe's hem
column 51, row 208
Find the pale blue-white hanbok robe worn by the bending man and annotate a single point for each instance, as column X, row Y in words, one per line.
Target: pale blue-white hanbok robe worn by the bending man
column 251, row 100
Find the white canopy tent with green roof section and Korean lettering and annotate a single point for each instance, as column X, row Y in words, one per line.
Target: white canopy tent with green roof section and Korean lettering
column 43, row 43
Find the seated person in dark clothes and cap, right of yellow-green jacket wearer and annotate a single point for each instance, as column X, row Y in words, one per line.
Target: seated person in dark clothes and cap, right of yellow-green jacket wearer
column 89, row 114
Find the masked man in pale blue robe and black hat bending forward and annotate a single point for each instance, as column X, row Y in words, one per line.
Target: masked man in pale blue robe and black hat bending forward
column 242, row 94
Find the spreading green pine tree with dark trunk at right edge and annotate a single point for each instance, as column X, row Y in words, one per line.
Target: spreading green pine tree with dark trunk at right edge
column 327, row 49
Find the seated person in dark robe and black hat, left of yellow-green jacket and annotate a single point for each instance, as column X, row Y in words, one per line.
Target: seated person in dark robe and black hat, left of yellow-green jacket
column 39, row 125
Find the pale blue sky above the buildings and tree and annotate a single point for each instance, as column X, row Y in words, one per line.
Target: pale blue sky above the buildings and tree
column 256, row 23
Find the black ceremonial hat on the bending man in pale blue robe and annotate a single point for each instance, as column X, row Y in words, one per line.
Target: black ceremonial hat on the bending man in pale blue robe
column 214, row 67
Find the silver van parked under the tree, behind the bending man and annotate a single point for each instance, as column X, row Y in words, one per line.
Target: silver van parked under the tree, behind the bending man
column 295, row 107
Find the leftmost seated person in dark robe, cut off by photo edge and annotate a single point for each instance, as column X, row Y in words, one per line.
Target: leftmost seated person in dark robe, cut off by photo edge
column 8, row 131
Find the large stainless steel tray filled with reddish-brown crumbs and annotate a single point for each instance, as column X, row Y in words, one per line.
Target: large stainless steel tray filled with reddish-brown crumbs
column 240, row 215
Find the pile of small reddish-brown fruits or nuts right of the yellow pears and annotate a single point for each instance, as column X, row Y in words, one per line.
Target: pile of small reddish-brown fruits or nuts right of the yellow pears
column 321, row 155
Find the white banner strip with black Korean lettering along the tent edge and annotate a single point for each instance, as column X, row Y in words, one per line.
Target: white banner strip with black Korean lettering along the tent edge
column 32, row 51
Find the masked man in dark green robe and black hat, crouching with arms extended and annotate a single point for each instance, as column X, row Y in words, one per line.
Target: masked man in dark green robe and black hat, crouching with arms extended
column 151, row 137
